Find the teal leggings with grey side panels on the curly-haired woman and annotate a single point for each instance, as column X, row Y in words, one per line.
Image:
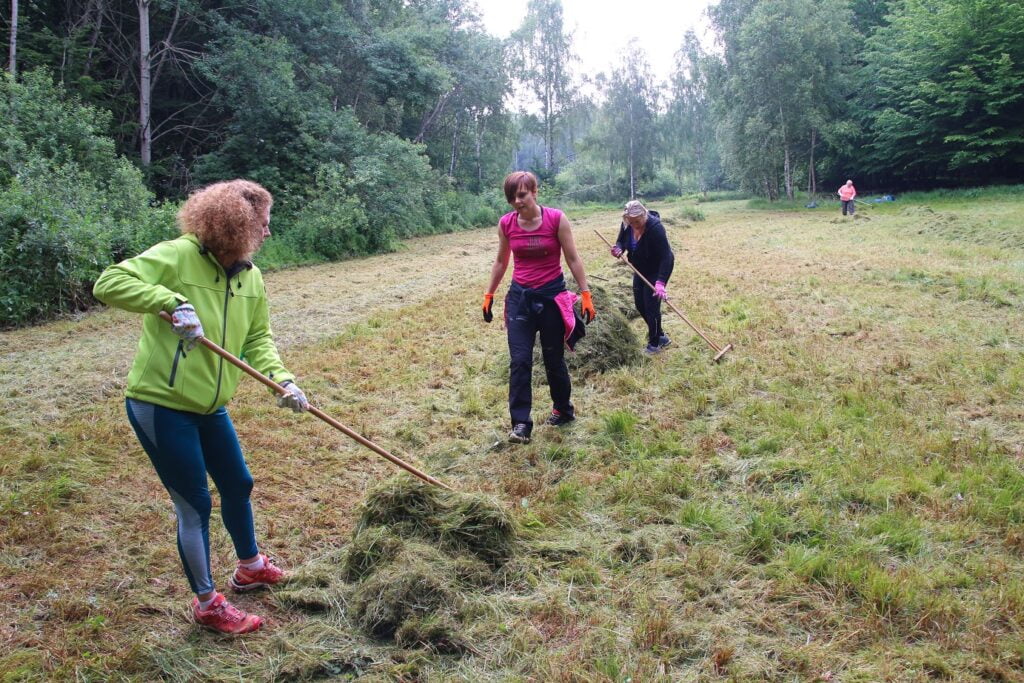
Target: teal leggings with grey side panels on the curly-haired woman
column 184, row 448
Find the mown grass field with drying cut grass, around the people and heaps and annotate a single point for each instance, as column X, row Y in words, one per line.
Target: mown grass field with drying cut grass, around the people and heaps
column 842, row 499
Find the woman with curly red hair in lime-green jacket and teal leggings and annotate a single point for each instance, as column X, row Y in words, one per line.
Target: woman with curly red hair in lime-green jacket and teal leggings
column 176, row 397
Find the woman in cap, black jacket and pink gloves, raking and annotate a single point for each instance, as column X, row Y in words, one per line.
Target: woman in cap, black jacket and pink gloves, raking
column 643, row 235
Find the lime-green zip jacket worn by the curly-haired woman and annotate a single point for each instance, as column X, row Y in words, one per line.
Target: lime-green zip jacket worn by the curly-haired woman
column 234, row 313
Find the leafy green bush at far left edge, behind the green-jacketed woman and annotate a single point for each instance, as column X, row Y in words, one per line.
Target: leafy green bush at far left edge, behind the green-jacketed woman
column 69, row 205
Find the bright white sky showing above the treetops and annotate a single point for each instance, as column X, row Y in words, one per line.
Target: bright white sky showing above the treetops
column 604, row 28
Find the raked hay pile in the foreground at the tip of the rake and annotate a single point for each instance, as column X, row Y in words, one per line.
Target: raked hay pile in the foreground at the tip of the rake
column 418, row 558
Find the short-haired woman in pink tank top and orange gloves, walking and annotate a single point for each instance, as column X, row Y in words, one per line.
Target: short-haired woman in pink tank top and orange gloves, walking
column 537, row 238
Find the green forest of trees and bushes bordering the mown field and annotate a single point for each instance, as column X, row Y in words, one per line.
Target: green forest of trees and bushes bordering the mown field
column 372, row 121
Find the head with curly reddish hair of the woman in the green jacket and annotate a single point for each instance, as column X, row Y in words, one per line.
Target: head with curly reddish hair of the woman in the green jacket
column 227, row 218
